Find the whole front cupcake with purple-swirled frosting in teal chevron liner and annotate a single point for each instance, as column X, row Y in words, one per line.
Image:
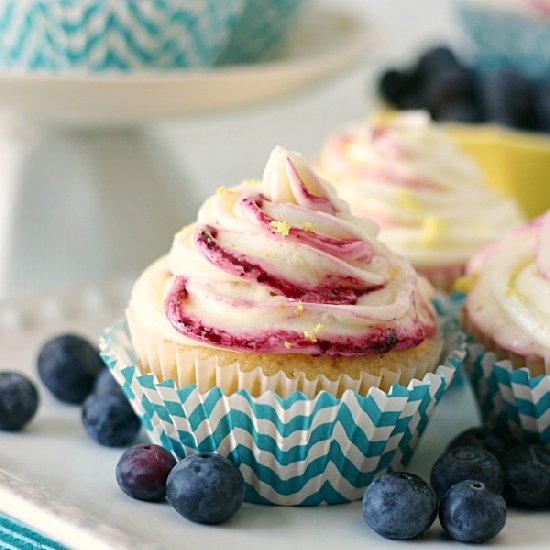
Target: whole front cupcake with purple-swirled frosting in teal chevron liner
column 280, row 332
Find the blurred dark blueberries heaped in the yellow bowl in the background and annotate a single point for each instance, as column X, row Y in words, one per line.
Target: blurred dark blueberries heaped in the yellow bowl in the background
column 452, row 92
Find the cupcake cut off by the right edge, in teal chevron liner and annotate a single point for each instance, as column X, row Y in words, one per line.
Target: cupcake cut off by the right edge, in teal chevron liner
column 507, row 312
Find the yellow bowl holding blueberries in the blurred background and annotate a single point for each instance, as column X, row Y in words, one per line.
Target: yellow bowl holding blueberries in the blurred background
column 515, row 163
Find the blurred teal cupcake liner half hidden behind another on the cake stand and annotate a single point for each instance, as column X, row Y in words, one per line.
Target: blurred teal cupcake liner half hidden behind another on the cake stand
column 260, row 30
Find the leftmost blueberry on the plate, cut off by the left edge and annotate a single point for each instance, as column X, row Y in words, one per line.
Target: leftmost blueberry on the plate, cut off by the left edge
column 18, row 400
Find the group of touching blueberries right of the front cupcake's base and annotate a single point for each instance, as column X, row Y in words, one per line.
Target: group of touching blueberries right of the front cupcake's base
column 470, row 485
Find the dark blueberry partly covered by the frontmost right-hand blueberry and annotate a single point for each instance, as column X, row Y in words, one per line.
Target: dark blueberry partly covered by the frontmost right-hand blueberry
column 462, row 463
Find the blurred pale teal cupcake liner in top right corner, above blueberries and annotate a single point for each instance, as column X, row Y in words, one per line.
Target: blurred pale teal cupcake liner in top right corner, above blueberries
column 502, row 36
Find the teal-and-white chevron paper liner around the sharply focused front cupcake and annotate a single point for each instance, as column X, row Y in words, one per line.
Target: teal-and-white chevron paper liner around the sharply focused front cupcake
column 293, row 451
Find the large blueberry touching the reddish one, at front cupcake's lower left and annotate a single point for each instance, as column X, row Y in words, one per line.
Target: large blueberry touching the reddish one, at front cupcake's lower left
column 206, row 488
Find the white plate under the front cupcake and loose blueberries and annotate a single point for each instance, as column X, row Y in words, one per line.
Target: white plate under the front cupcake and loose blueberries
column 55, row 479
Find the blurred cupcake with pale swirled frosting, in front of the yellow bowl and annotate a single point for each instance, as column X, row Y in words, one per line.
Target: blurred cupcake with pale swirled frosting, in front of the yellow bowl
column 429, row 199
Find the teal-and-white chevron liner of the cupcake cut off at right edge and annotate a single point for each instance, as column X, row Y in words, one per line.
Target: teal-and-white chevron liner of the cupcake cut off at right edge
column 510, row 400
